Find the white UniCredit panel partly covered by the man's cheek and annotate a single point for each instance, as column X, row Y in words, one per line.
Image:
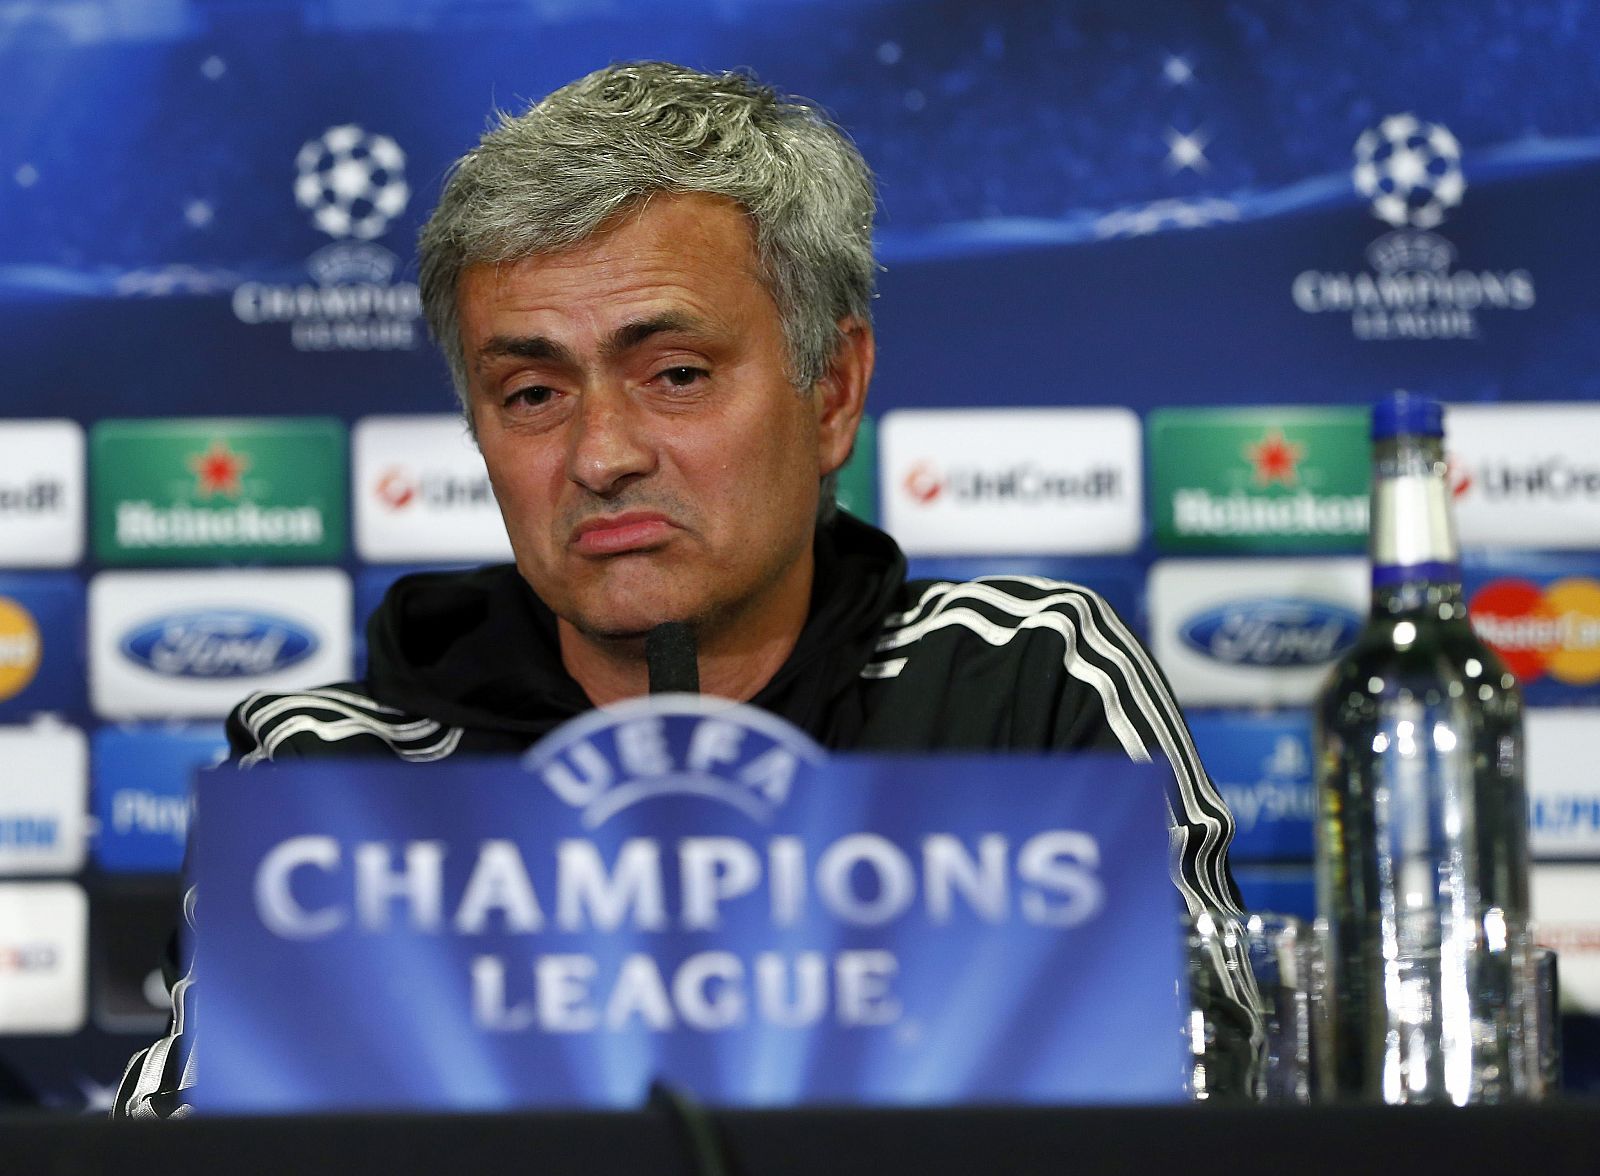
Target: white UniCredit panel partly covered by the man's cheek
column 423, row 494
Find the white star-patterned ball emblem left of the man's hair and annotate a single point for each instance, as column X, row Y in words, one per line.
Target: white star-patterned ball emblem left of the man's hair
column 353, row 183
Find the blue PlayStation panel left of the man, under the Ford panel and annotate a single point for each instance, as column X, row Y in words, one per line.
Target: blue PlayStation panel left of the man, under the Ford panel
column 142, row 793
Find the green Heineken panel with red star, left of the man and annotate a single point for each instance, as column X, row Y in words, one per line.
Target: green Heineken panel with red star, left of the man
column 202, row 492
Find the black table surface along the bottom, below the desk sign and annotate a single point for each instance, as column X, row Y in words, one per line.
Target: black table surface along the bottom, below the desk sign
column 1546, row 1140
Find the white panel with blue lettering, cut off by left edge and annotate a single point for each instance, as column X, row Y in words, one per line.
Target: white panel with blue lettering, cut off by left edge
column 44, row 798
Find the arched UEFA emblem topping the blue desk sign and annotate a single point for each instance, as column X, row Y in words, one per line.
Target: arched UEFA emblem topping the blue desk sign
column 674, row 745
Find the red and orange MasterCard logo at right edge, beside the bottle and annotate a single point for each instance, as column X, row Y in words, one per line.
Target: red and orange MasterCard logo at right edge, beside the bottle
column 1551, row 630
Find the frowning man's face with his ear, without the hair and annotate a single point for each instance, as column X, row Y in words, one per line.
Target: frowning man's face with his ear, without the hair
column 650, row 457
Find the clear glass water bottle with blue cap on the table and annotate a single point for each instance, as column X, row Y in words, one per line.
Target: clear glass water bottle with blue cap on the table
column 1422, row 839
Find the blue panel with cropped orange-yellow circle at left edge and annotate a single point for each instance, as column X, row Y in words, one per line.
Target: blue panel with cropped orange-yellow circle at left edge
column 41, row 644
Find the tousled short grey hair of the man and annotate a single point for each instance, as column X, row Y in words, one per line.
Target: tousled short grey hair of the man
column 550, row 178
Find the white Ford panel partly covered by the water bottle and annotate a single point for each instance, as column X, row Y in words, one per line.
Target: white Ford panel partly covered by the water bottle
column 1255, row 633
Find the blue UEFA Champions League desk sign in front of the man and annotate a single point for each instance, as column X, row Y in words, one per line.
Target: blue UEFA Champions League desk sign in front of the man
column 687, row 890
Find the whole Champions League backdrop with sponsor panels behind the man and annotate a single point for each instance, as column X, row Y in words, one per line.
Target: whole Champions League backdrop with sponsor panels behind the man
column 1089, row 214
